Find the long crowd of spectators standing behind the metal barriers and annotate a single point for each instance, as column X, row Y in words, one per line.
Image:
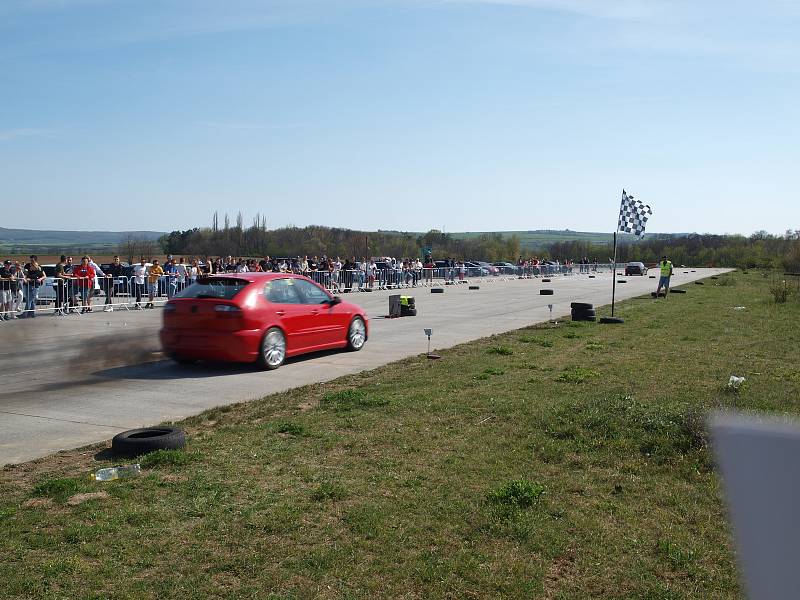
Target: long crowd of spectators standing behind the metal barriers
column 75, row 284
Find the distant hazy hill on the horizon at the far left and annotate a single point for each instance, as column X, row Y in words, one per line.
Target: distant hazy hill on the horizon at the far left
column 35, row 240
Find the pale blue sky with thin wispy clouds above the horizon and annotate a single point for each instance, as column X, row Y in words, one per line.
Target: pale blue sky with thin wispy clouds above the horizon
column 399, row 114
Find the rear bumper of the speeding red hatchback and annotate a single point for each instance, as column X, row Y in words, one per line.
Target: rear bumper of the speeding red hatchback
column 228, row 346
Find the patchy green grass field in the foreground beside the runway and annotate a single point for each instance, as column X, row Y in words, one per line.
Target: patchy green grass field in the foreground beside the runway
column 558, row 461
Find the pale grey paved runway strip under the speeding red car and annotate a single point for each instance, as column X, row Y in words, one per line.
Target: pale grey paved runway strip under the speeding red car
column 76, row 380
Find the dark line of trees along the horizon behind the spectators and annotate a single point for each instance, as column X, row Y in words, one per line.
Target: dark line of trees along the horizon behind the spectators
column 760, row 250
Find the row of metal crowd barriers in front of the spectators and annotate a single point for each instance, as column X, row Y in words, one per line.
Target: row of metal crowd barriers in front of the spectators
column 63, row 296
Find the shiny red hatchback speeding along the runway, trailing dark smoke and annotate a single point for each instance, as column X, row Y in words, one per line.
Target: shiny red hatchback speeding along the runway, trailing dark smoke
column 258, row 317
